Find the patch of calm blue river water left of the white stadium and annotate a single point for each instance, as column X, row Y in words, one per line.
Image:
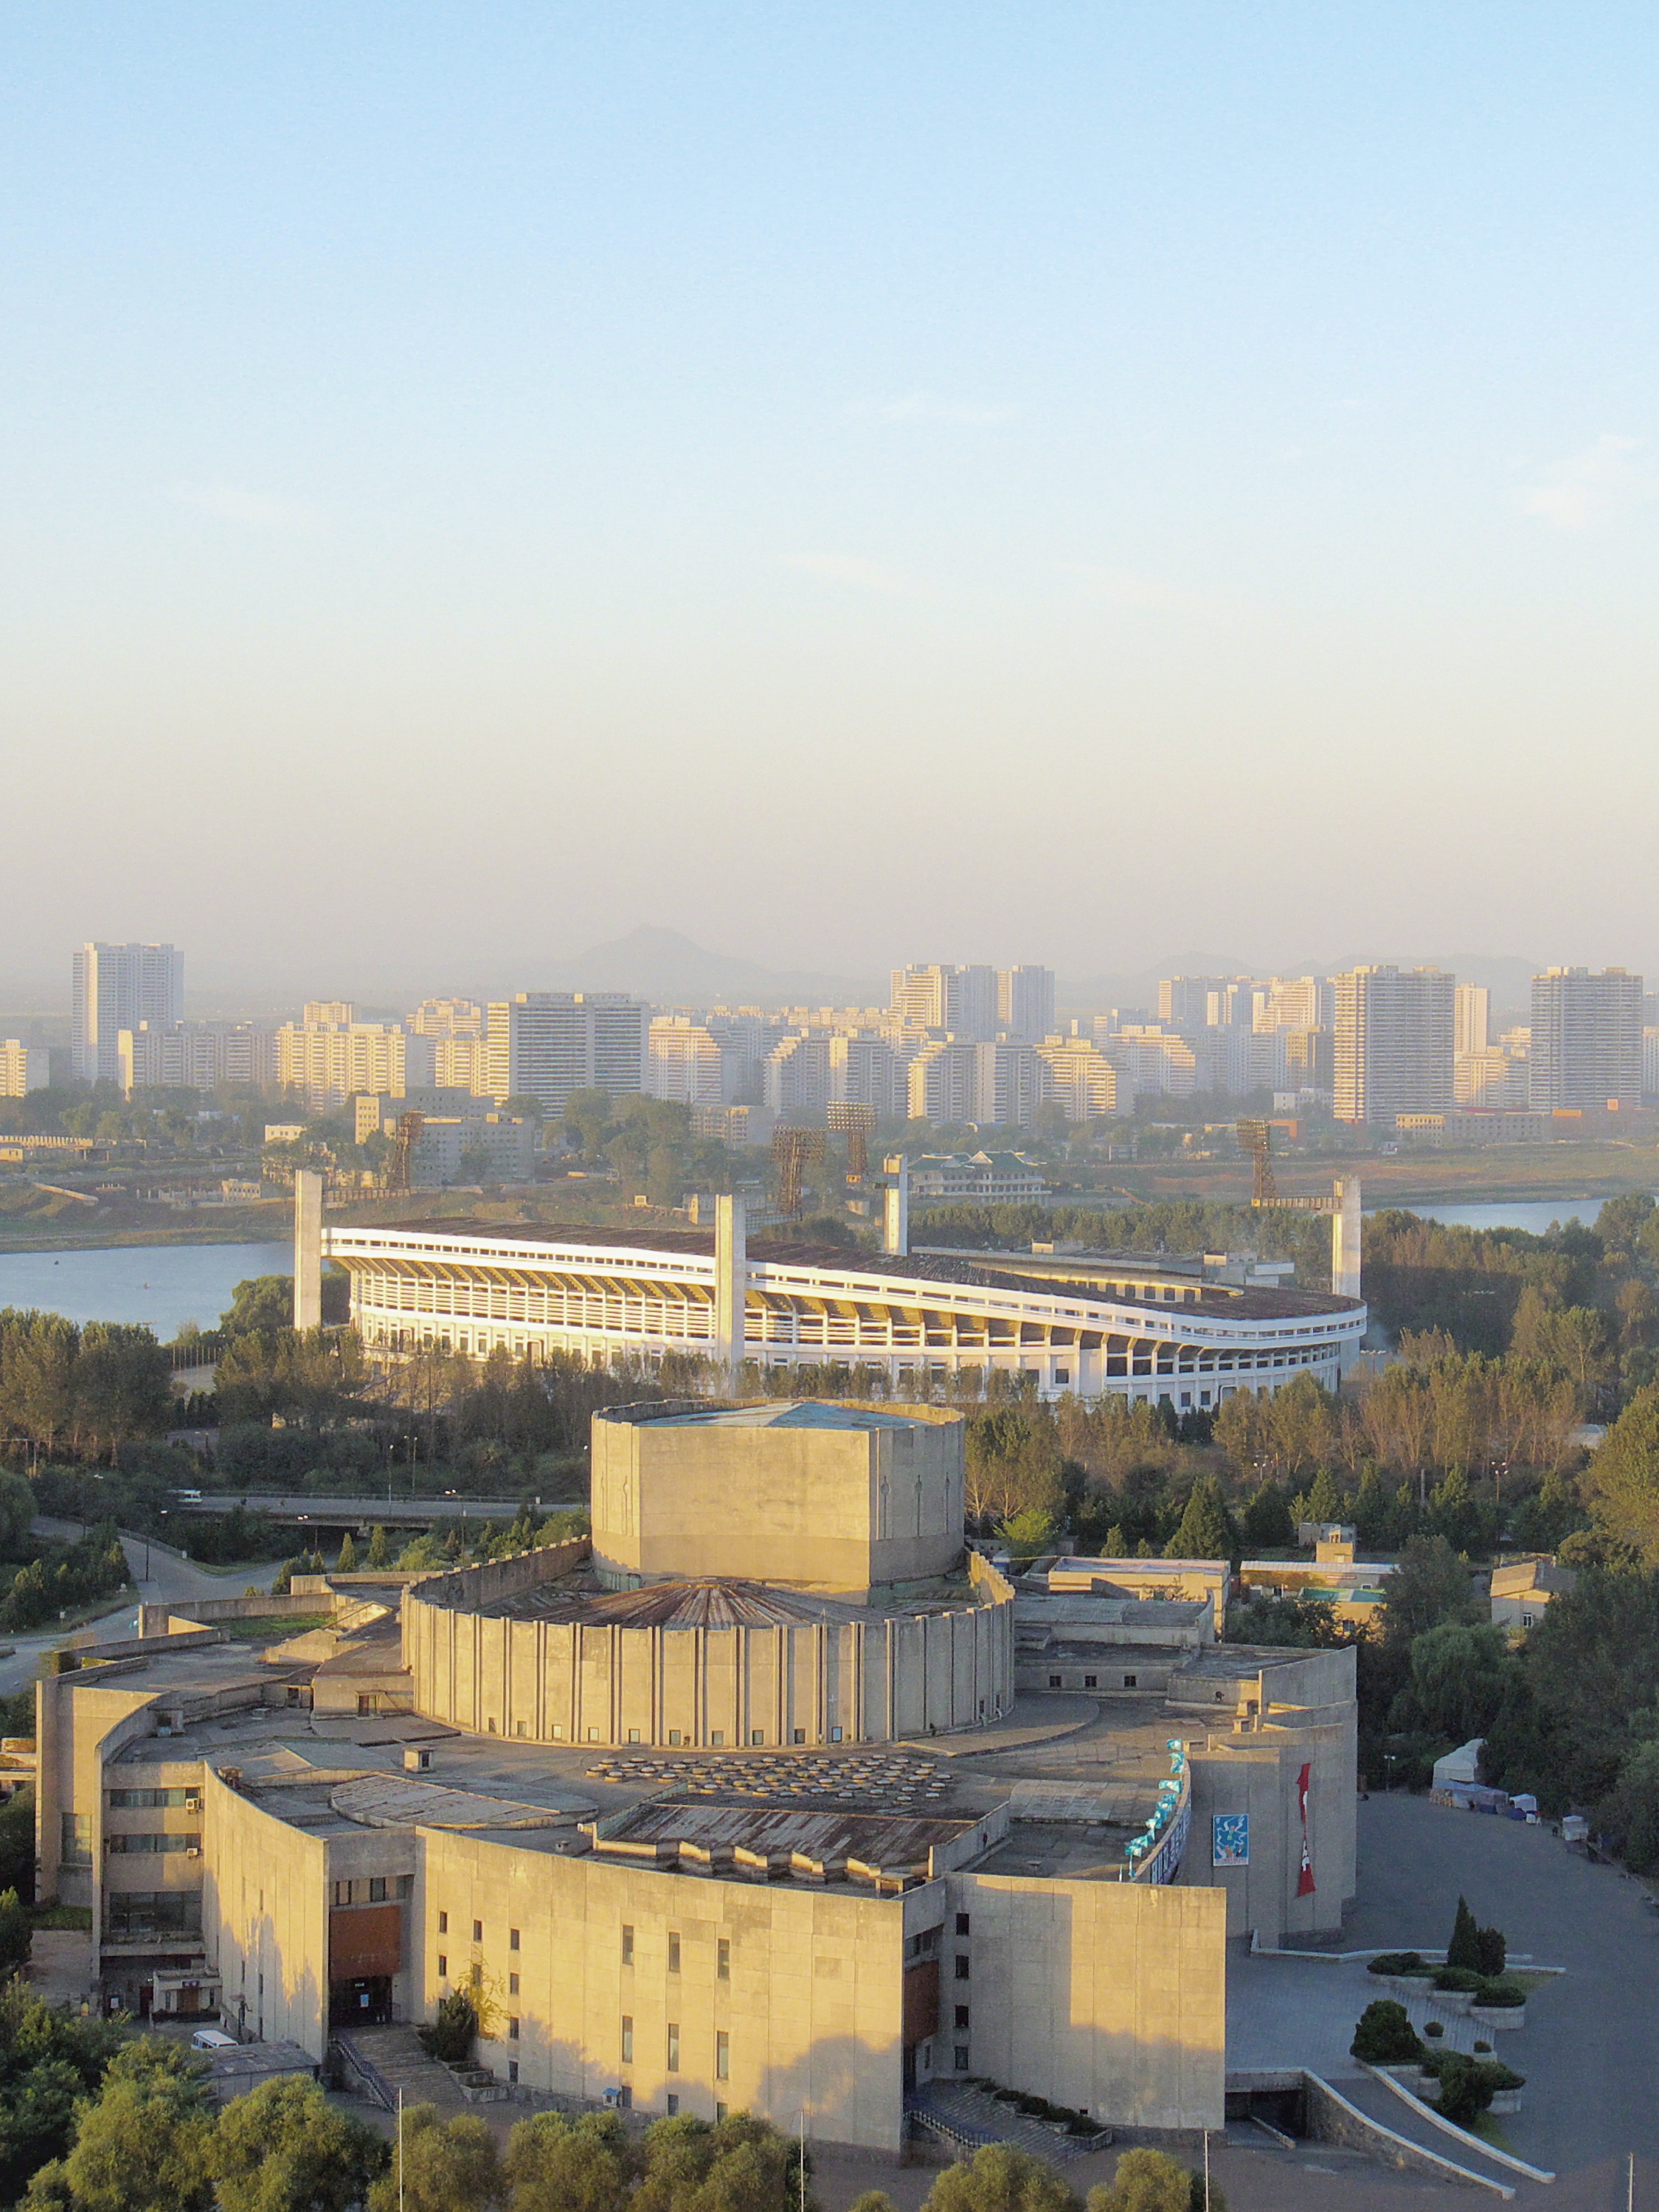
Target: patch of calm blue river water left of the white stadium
column 163, row 1286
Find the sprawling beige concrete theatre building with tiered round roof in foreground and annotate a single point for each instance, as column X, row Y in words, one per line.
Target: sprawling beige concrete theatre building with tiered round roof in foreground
column 817, row 1828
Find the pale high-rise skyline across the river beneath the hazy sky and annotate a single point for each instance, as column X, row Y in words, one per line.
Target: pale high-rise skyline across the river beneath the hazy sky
column 1384, row 1047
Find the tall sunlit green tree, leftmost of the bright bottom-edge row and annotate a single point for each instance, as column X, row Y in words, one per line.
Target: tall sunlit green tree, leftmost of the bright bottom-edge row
column 145, row 2145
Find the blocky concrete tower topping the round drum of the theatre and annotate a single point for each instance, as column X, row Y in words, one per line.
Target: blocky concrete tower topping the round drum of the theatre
column 828, row 1499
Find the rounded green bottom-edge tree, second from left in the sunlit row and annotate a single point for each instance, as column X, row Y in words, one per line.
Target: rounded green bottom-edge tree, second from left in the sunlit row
column 286, row 2149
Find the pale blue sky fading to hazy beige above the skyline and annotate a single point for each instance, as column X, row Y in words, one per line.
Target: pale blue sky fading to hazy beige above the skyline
column 851, row 483
